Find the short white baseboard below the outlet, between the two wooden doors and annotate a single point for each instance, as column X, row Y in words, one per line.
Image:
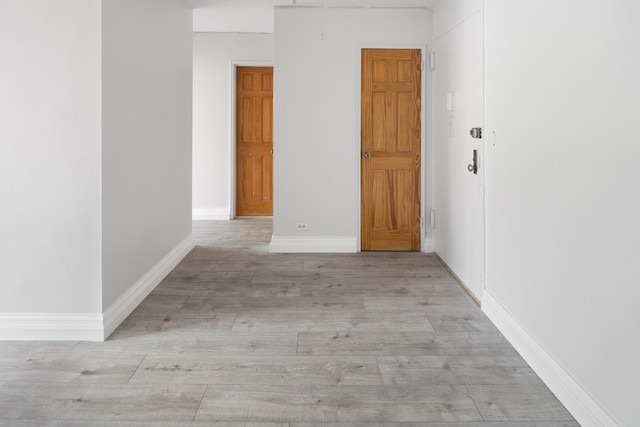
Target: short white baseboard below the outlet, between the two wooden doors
column 313, row 245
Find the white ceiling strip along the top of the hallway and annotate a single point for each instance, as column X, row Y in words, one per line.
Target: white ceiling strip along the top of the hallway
column 256, row 16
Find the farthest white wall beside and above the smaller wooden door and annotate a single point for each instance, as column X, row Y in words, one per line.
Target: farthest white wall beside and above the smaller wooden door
column 213, row 57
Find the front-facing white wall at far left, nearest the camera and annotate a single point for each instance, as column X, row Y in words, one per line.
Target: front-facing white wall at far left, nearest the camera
column 49, row 160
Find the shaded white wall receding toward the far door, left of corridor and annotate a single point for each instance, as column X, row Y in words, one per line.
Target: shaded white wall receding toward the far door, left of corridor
column 147, row 83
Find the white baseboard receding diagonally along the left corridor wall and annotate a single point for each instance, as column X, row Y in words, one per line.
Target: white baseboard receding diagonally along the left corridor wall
column 123, row 306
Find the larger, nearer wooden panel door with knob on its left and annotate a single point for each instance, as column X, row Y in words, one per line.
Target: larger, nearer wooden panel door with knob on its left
column 391, row 139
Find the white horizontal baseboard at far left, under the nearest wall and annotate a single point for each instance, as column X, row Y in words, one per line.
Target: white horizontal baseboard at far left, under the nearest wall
column 51, row 327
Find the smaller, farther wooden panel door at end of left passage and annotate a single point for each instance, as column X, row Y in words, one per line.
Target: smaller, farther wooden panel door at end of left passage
column 254, row 139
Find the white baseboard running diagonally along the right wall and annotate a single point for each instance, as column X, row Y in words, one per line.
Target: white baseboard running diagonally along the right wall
column 577, row 401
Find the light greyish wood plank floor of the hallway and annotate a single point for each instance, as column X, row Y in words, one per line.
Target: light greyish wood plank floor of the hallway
column 236, row 336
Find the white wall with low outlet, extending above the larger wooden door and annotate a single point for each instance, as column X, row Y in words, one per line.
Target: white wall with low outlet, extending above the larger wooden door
column 316, row 117
